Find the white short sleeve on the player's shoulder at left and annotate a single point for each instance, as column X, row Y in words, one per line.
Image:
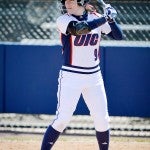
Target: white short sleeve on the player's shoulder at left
column 63, row 22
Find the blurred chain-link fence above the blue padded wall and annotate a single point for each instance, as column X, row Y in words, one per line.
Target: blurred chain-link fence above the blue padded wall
column 32, row 21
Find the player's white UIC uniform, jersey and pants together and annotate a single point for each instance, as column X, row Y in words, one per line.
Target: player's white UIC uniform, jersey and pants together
column 80, row 74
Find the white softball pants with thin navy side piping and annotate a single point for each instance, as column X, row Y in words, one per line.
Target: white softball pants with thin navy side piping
column 71, row 86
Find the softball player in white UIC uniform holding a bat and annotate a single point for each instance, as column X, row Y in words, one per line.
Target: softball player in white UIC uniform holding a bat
column 81, row 28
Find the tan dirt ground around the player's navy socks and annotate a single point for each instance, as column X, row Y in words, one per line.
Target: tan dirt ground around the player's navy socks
column 12, row 141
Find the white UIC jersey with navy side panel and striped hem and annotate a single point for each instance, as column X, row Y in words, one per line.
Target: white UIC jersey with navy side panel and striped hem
column 81, row 53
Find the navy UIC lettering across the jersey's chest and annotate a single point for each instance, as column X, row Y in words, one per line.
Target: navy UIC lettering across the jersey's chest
column 85, row 40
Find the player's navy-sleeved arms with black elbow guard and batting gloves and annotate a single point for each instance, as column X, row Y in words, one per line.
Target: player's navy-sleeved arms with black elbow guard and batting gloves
column 84, row 27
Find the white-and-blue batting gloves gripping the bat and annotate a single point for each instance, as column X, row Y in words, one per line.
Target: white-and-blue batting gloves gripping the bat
column 109, row 12
